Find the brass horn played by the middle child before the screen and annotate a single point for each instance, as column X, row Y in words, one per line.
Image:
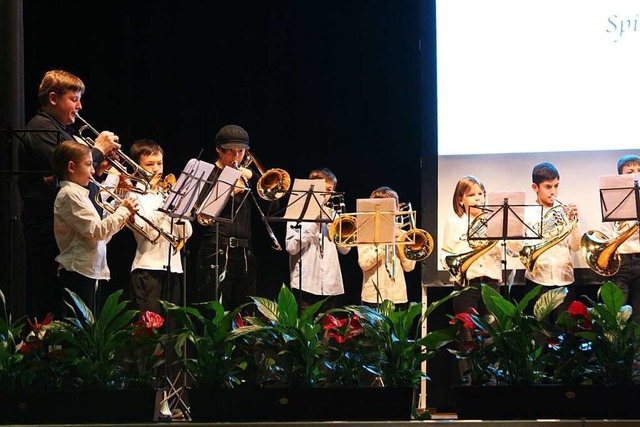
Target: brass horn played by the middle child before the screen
column 556, row 225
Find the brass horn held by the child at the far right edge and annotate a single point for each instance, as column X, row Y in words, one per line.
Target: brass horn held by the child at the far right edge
column 600, row 252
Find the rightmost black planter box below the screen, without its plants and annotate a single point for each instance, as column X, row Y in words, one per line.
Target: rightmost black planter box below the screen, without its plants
column 547, row 402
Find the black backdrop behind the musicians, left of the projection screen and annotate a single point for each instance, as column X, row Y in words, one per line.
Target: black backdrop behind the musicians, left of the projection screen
column 345, row 84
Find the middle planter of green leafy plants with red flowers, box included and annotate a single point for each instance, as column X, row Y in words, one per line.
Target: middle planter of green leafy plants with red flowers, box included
column 288, row 359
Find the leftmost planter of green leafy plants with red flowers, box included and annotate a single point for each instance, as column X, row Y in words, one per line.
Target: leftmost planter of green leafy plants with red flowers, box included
column 82, row 359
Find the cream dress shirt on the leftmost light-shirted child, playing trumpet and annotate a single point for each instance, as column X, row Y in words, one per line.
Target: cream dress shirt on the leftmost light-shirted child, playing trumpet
column 81, row 234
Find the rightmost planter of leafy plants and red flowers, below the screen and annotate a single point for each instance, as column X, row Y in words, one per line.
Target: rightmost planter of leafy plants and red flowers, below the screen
column 580, row 366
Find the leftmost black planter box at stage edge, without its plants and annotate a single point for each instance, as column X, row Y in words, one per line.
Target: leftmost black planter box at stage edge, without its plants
column 77, row 406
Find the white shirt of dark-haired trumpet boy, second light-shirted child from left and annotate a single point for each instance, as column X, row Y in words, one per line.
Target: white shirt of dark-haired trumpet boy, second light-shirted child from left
column 155, row 256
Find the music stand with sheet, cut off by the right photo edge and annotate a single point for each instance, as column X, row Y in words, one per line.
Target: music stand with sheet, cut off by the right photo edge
column 620, row 197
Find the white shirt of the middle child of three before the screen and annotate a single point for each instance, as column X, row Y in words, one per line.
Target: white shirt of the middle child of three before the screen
column 554, row 267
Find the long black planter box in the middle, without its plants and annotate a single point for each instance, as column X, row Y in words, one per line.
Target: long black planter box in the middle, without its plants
column 301, row 404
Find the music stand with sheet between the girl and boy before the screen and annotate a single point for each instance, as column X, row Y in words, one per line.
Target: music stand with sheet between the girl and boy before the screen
column 505, row 221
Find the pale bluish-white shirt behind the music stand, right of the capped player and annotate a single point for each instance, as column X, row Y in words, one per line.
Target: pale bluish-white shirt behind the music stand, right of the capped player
column 321, row 274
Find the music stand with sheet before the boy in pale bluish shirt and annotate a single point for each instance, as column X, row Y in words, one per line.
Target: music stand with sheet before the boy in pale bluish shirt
column 305, row 206
